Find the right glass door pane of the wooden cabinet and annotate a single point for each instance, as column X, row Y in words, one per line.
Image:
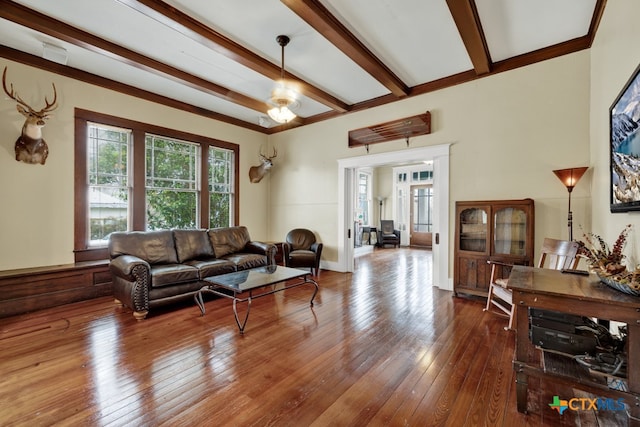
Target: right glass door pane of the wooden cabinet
column 510, row 232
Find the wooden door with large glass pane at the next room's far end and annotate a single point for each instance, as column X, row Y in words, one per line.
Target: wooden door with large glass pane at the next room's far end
column 421, row 217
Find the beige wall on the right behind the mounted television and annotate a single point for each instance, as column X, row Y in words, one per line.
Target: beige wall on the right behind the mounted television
column 615, row 55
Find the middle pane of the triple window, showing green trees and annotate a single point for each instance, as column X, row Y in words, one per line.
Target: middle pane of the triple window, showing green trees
column 171, row 183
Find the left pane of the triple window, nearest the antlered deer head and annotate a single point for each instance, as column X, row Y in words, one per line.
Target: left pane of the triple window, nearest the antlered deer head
column 107, row 157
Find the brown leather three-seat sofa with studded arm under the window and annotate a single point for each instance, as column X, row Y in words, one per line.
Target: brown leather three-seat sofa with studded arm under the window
column 154, row 268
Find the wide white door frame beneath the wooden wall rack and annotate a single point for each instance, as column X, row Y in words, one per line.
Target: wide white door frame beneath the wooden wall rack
column 440, row 156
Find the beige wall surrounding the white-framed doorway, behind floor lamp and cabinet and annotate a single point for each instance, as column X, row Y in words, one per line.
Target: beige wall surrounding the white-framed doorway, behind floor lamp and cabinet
column 508, row 131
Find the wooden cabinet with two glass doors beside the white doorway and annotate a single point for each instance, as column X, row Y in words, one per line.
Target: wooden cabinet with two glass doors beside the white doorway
column 496, row 230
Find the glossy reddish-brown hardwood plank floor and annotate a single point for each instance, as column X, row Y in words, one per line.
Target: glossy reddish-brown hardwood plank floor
column 380, row 347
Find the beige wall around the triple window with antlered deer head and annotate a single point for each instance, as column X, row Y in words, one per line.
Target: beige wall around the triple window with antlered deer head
column 36, row 211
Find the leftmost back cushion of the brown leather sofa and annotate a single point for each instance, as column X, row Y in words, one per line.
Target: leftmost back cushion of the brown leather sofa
column 155, row 247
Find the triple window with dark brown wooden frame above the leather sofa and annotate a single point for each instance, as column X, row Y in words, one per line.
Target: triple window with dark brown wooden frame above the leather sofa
column 135, row 176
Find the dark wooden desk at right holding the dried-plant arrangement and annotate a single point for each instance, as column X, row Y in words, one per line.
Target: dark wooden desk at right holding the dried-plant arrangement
column 579, row 295
